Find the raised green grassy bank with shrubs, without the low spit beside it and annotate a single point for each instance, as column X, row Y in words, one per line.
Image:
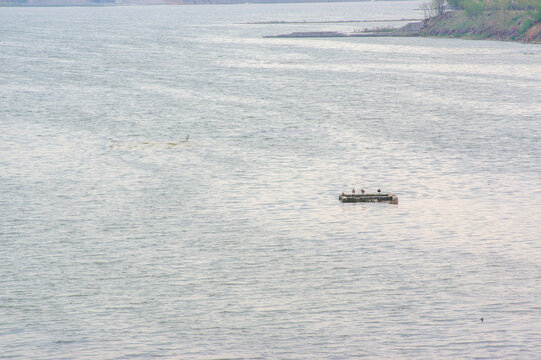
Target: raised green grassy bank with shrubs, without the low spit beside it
column 510, row 24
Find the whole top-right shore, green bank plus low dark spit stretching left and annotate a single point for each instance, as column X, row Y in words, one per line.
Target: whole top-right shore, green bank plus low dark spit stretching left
column 503, row 20
